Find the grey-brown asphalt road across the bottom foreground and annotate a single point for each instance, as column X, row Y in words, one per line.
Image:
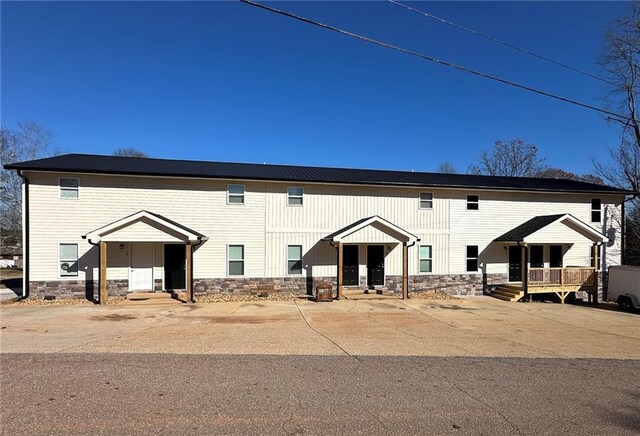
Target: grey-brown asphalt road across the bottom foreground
column 151, row 394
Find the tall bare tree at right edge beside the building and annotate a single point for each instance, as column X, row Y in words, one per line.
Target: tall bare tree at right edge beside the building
column 620, row 62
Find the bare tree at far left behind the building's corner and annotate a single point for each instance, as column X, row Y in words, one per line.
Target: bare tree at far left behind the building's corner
column 27, row 142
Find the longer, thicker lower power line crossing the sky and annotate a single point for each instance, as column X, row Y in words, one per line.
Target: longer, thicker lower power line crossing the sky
column 435, row 60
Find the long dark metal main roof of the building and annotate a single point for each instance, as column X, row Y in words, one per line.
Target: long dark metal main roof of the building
column 86, row 163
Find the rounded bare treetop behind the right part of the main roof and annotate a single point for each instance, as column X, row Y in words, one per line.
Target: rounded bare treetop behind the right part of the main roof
column 515, row 158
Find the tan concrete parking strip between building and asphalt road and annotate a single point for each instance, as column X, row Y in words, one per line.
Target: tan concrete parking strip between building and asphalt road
column 475, row 326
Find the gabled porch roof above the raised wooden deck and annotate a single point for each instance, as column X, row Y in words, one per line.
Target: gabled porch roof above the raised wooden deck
column 525, row 230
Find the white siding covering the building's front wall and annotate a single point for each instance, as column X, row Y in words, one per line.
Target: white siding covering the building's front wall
column 265, row 224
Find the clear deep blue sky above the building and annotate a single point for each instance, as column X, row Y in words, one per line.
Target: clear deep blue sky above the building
column 230, row 82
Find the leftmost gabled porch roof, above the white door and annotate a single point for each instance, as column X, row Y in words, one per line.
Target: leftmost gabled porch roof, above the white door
column 144, row 221
